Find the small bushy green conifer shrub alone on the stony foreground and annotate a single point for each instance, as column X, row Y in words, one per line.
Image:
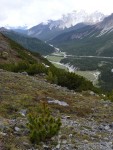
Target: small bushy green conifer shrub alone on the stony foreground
column 43, row 125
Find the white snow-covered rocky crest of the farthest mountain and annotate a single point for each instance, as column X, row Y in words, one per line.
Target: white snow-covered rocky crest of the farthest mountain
column 71, row 19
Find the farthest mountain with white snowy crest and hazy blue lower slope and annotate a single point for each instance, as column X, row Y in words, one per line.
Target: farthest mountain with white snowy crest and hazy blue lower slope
column 53, row 28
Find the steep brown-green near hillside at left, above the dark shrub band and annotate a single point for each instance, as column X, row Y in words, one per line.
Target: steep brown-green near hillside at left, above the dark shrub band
column 11, row 52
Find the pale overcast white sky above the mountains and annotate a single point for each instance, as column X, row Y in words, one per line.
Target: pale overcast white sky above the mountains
column 16, row 13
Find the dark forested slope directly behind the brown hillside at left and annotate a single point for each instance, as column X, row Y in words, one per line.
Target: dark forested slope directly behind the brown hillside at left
column 33, row 44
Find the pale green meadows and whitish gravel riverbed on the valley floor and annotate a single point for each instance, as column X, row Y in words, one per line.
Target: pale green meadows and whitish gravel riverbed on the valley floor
column 55, row 58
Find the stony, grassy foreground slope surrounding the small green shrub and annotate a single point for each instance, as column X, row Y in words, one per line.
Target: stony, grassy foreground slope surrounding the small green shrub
column 87, row 119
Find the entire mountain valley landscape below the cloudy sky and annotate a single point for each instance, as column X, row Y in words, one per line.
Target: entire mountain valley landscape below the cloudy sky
column 66, row 66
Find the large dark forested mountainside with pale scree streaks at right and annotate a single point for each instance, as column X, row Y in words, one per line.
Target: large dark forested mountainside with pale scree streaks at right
column 89, row 40
